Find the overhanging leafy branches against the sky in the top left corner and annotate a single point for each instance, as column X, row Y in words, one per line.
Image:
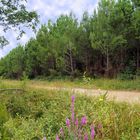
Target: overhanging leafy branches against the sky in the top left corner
column 15, row 15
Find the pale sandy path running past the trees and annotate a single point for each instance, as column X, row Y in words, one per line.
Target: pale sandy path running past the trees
column 126, row 96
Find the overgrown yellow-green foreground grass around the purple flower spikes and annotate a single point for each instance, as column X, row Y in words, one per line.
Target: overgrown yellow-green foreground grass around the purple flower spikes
column 39, row 113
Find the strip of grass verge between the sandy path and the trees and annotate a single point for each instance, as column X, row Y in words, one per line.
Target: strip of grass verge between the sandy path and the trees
column 107, row 84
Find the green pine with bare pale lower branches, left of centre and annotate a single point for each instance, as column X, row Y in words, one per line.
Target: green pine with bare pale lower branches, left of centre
column 63, row 41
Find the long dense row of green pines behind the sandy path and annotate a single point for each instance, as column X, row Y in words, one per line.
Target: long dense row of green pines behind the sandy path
column 106, row 43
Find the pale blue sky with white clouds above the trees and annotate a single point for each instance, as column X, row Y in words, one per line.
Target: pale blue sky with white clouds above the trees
column 48, row 9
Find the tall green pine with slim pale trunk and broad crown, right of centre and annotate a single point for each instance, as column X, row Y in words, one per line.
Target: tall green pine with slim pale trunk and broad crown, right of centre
column 104, row 36
